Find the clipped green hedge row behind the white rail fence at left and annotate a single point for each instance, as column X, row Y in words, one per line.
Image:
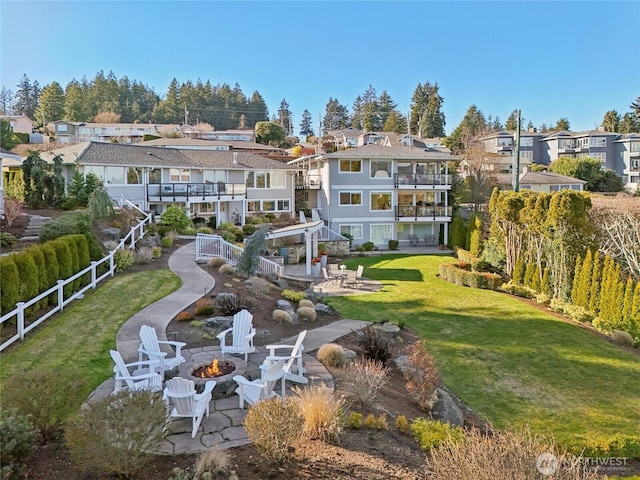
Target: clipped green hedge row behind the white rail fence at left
column 26, row 274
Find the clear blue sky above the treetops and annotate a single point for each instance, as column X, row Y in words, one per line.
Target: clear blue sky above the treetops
column 573, row 59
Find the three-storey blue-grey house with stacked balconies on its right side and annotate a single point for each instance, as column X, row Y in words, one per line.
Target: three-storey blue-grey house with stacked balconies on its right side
column 377, row 193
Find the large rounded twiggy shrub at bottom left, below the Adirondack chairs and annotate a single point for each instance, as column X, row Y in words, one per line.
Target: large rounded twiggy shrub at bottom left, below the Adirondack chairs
column 116, row 434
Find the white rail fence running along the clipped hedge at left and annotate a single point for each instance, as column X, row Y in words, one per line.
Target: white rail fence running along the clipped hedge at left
column 17, row 314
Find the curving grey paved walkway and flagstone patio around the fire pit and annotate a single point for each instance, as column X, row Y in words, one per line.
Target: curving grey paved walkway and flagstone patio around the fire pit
column 223, row 428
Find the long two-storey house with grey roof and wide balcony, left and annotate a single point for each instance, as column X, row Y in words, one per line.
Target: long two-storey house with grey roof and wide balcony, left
column 227, row 185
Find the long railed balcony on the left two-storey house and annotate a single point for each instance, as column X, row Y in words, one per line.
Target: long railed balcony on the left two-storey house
column 195, row 191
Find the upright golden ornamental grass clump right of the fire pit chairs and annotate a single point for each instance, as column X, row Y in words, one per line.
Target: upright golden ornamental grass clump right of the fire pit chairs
column 321, row 412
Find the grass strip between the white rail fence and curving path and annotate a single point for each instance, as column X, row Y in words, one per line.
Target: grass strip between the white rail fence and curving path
column 82, row 335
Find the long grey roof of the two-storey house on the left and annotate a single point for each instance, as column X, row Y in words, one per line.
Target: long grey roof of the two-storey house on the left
column 121, row 154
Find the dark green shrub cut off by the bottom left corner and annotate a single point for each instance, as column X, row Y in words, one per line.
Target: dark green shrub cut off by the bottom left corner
column 17, row 442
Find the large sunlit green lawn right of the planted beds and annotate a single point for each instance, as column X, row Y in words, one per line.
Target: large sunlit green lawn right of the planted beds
column 511, row 362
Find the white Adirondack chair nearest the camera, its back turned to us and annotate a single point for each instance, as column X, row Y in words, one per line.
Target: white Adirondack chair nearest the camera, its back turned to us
column 180, row 394
